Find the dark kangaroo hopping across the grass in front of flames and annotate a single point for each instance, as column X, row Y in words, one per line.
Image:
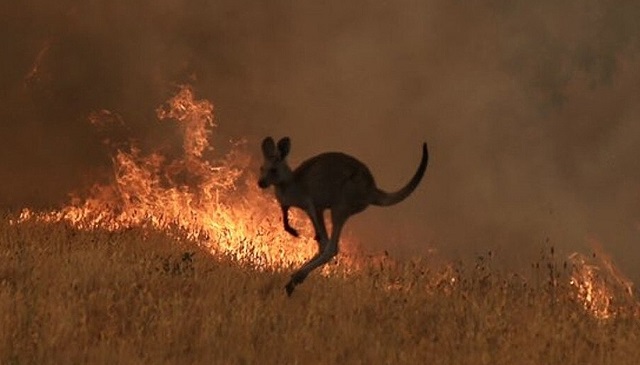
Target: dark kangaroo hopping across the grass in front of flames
column 331, row 180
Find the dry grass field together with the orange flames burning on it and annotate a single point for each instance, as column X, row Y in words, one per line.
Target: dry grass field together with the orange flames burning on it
column 182, row 260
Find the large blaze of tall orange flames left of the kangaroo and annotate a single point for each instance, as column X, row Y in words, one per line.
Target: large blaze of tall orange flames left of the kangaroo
column 216, row 203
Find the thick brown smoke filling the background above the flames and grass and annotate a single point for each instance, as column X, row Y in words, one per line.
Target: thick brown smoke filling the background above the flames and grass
column 529, row 108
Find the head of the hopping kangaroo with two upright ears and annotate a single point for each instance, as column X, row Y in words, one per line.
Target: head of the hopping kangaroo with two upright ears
column 274, row 169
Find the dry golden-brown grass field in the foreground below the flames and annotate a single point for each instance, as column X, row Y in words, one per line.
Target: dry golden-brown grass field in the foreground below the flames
column 140, row 297
